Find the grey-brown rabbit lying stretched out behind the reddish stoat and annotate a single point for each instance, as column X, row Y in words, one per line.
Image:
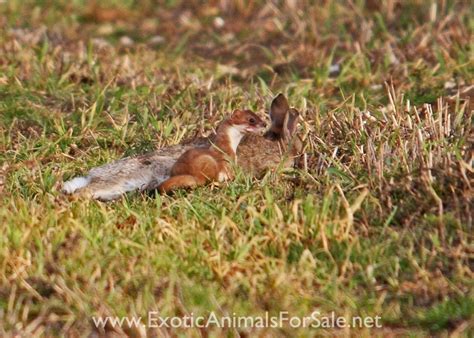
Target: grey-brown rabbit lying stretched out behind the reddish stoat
column 255, row 154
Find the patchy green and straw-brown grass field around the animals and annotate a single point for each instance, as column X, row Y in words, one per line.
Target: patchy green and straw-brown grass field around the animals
column 377, row 222
